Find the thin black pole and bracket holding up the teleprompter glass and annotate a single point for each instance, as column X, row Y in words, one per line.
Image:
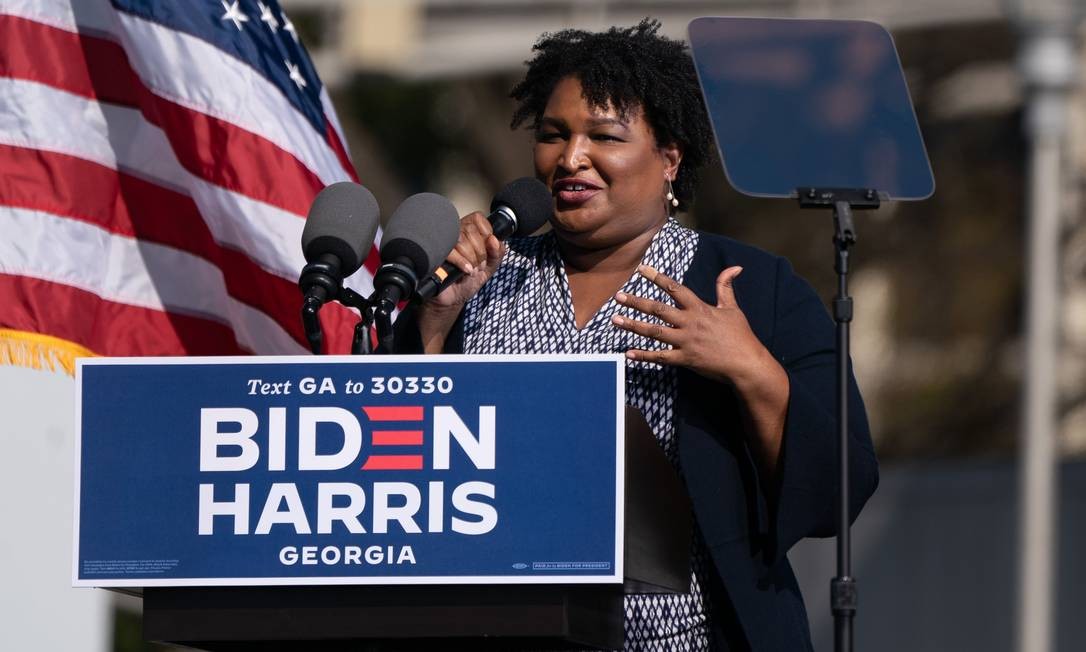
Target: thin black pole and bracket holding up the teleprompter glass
column 843, row 588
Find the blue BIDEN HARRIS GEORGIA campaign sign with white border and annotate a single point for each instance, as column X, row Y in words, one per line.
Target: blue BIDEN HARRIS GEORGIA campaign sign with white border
column 364, row 470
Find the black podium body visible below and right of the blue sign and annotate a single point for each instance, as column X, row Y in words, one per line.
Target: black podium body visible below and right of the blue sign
column 659, row 530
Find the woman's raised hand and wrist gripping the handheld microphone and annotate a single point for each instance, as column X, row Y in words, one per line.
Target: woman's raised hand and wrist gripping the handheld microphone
column 477, row 255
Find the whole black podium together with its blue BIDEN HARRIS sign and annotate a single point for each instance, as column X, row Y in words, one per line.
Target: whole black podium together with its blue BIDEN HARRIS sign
column 374, row 504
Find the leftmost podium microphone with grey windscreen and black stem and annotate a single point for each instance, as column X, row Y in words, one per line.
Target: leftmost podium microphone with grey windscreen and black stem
column 338, row 234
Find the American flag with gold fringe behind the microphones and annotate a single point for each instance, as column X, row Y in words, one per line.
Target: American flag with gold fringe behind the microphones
column 157, row 162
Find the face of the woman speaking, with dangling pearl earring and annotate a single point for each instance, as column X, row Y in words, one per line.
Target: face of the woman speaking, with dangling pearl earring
column 607, row 173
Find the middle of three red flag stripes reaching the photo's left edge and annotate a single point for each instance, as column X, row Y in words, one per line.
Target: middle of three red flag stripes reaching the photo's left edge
column 128, row 206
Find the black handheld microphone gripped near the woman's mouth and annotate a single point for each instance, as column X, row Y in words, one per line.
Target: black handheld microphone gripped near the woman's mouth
column 520, row 209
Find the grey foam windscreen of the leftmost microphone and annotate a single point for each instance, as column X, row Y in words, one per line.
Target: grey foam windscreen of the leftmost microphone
column 343, row 221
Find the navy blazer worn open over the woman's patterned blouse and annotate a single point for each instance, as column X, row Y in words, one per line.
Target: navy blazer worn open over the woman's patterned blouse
column 757, row 600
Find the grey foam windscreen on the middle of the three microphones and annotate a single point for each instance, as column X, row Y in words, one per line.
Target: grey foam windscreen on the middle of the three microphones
column 425, row 229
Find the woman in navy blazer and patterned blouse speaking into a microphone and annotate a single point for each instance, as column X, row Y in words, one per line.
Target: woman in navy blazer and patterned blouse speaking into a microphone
column 736, row 374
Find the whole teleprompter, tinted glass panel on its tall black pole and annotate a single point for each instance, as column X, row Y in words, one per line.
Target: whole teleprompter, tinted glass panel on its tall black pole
column 804, row 140
